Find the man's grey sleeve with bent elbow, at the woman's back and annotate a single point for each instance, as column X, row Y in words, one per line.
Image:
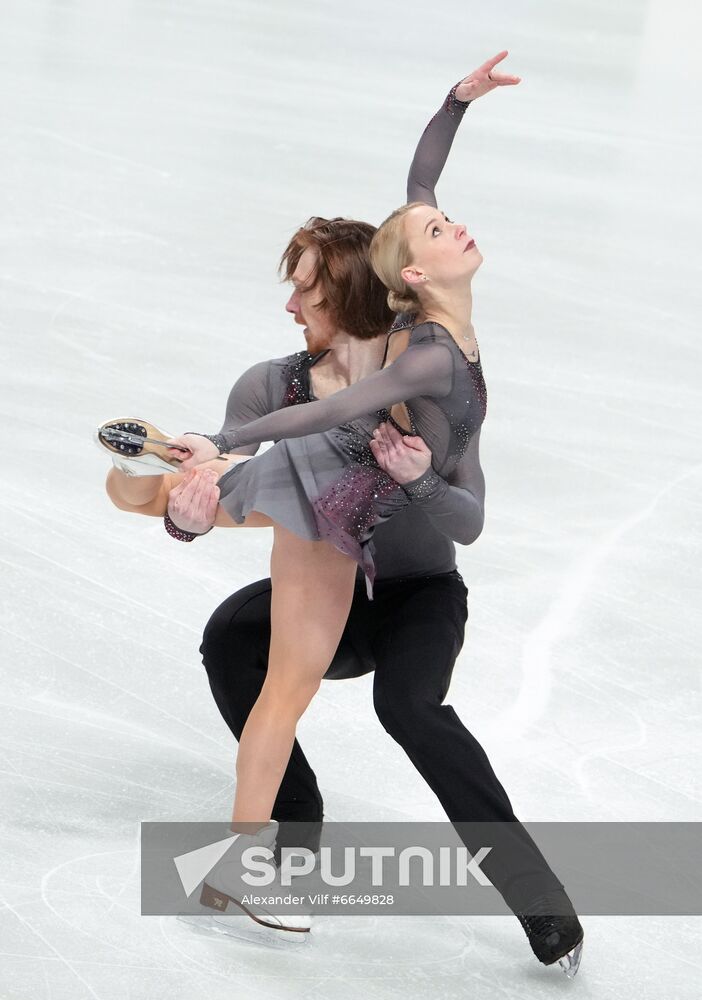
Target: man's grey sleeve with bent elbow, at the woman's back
column 455, row 506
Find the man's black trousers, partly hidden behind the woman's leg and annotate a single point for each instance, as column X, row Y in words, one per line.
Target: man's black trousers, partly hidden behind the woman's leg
column 410, row 635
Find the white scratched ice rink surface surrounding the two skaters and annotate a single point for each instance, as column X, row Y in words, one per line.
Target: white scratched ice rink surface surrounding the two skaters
column 156, row 156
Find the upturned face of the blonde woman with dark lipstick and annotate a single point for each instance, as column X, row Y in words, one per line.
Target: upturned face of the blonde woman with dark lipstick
column 441, row 249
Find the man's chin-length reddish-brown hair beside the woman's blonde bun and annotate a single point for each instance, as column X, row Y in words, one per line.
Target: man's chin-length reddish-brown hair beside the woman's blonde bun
column 350, row 290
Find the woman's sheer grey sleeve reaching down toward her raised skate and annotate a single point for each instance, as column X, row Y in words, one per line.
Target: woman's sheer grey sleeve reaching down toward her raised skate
column 421, row 370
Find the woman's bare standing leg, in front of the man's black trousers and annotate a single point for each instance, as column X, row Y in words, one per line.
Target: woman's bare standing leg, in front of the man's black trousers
column 312, row 592
